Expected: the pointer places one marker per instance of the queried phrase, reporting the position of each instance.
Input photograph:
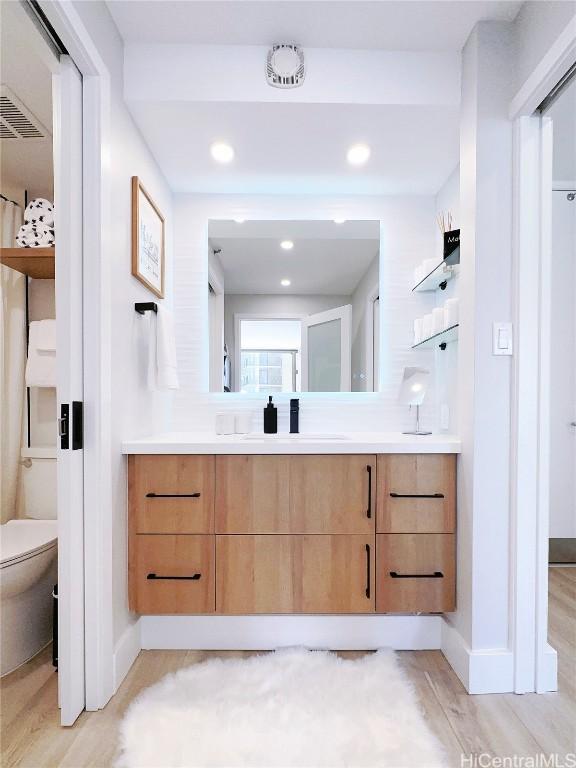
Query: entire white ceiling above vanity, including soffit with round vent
(295, 142)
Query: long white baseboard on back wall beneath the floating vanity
(268, 632)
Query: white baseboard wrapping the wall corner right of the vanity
(484, 671)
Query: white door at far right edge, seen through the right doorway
(563, 368)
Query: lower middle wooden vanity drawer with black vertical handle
(295, 574)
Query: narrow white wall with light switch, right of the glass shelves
(481, 618)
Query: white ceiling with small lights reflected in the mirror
(327, 258)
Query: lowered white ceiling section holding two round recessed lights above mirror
(299, 148)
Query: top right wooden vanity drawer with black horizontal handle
(416, 493)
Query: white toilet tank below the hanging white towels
(38, 484)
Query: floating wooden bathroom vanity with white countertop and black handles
(240, 526)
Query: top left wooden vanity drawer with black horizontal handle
(171, 494)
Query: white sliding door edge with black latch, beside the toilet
(68, 215)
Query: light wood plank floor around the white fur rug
(500, 725)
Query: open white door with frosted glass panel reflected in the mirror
(326, 351)
